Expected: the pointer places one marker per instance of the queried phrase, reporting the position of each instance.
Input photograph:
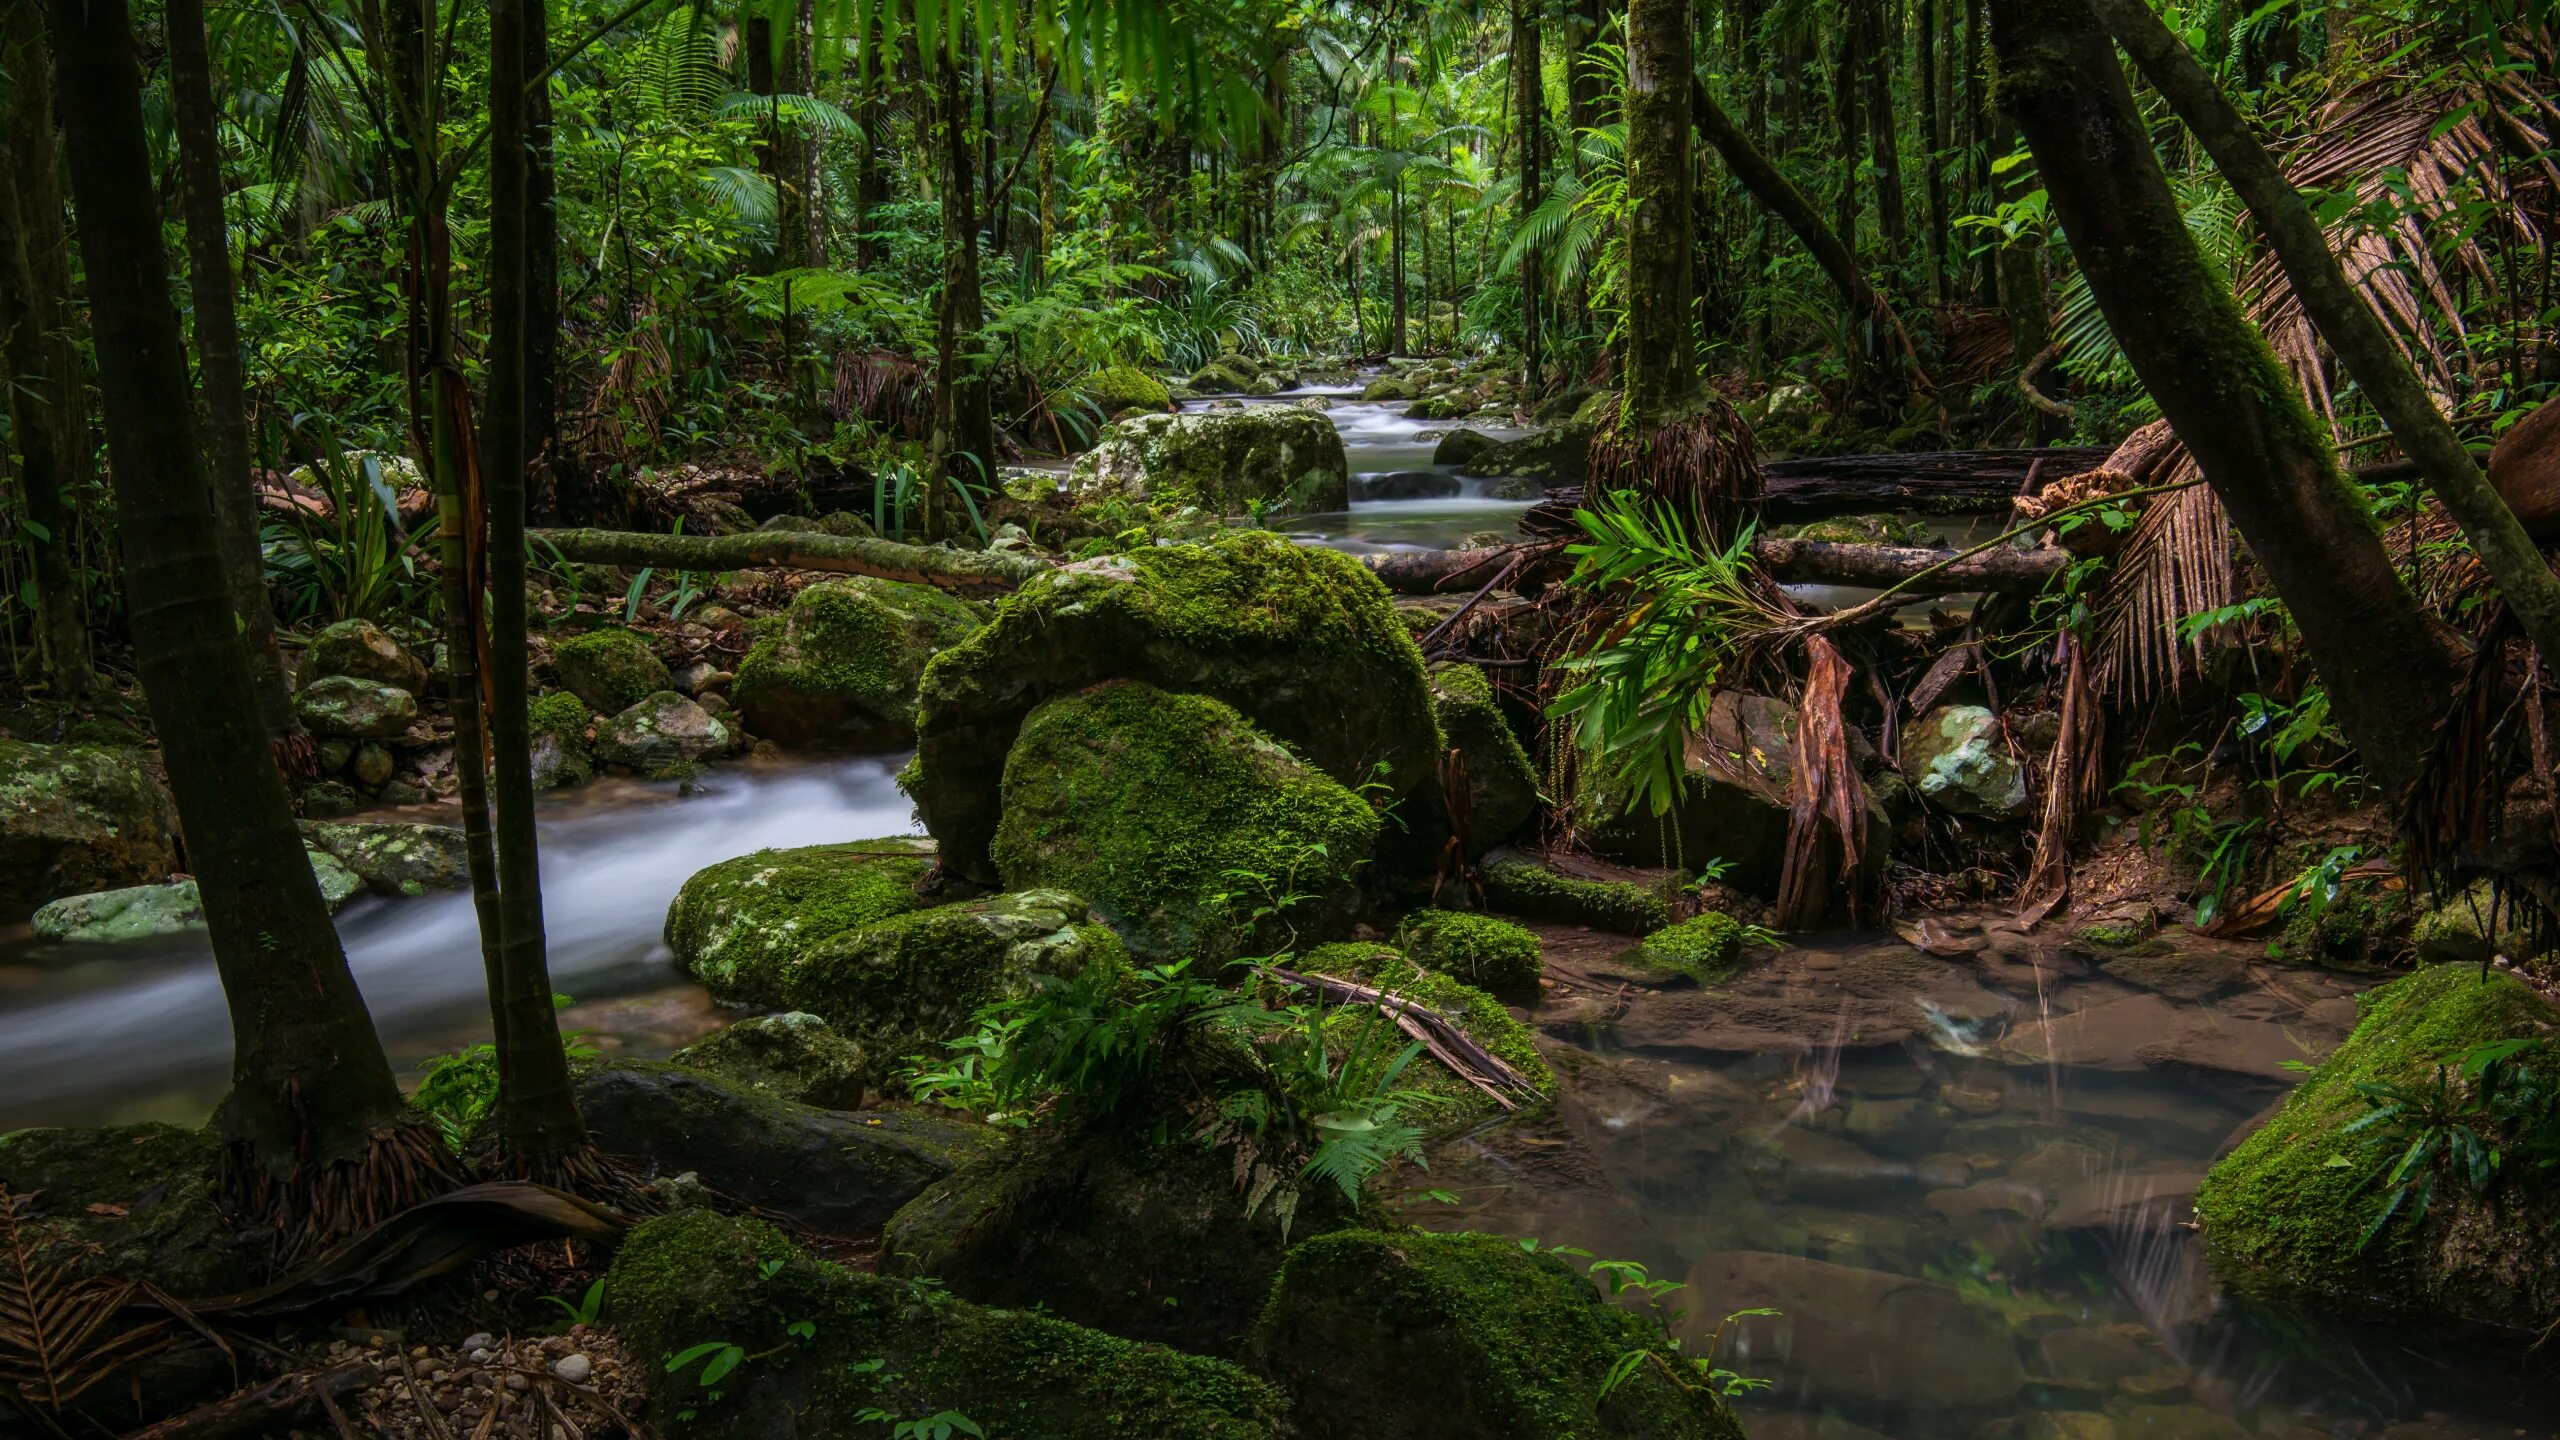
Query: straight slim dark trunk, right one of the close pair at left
(536, 1111)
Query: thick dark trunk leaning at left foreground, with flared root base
(316, 1121)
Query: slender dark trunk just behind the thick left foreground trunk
(219, 368)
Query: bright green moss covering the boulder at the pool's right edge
(2282, 1216)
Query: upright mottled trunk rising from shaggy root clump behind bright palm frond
(1660, 360)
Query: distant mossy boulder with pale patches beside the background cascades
(1228, 462)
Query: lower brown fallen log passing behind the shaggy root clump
(1791, 562)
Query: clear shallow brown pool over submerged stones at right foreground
(1965, 1188)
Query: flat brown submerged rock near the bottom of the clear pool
(1855, 1336)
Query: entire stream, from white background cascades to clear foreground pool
(1957, 1175)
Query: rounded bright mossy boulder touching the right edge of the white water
(744, 924)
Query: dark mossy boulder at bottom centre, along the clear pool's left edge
(1468, 1339)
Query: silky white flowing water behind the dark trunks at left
(99, 1034)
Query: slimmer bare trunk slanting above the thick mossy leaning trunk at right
(2346, 322)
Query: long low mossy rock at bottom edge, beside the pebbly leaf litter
(897, 1346)
